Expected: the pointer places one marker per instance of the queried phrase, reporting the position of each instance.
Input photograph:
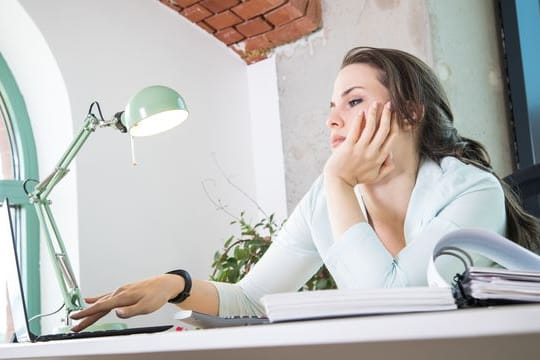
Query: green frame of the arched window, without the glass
(24, 146)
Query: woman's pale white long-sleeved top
(446, 197)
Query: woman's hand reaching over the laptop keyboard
(138, 298)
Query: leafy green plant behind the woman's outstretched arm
(241, 252)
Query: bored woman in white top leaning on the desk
(399, 178)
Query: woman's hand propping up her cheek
(365, 157)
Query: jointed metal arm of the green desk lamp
(39, 198)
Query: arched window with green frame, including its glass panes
(18, 162)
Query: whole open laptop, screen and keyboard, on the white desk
(16, 295)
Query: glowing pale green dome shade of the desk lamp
(153, 110)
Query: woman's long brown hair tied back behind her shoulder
(415, 90)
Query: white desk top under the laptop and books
(509, 332)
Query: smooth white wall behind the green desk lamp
(139, 221)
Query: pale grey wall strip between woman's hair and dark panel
(467, 59)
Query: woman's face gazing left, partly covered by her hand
(355, 88)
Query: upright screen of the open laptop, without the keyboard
(13, 278)
